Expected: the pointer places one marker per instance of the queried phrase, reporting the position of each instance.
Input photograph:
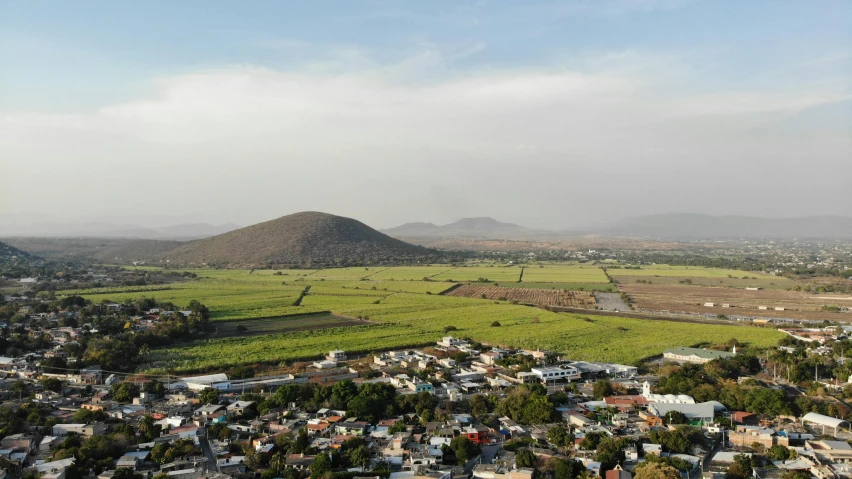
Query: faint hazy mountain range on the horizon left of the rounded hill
(108, 230)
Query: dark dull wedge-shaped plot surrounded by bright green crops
(259, 327)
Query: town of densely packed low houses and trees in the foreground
(454, 409)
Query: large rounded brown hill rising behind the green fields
(301, 238)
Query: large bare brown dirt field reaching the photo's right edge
(682, 298)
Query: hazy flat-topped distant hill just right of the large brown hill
(482, 227)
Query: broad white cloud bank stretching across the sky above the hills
(377, 142)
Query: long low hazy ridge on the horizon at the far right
(688, 225)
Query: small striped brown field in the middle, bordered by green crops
(545, 297)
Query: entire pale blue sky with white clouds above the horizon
(549, 114)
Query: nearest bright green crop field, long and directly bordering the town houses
(403, 322)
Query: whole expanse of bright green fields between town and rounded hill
(404, 315)
